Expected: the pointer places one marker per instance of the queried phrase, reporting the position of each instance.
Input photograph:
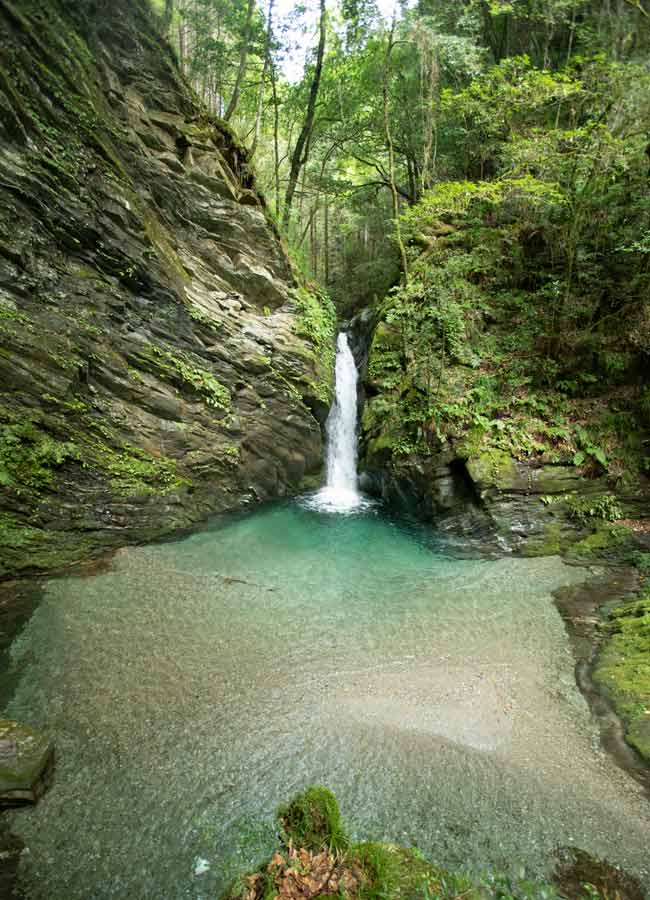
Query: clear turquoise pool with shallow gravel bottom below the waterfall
(199, 683)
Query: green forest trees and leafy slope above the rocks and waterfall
(478, 171)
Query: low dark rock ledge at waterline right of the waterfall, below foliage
(508, 505)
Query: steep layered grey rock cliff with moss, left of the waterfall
(158, 359)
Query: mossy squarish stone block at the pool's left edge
(26, 760)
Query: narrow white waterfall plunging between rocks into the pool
(341, 492)
